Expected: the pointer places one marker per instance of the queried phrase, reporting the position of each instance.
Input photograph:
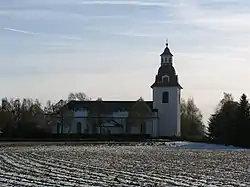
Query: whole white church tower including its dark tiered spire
(166, 96)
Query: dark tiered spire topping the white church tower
(166, 76)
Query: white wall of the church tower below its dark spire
(169, 113)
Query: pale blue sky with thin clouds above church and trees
(111, 49)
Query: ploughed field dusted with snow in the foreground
(172, 164)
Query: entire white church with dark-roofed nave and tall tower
(157, 118)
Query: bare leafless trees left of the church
(25, 116)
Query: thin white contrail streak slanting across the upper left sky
(37, 34)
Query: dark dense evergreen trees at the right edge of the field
(230, 124)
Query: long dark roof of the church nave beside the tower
(106, 106)
